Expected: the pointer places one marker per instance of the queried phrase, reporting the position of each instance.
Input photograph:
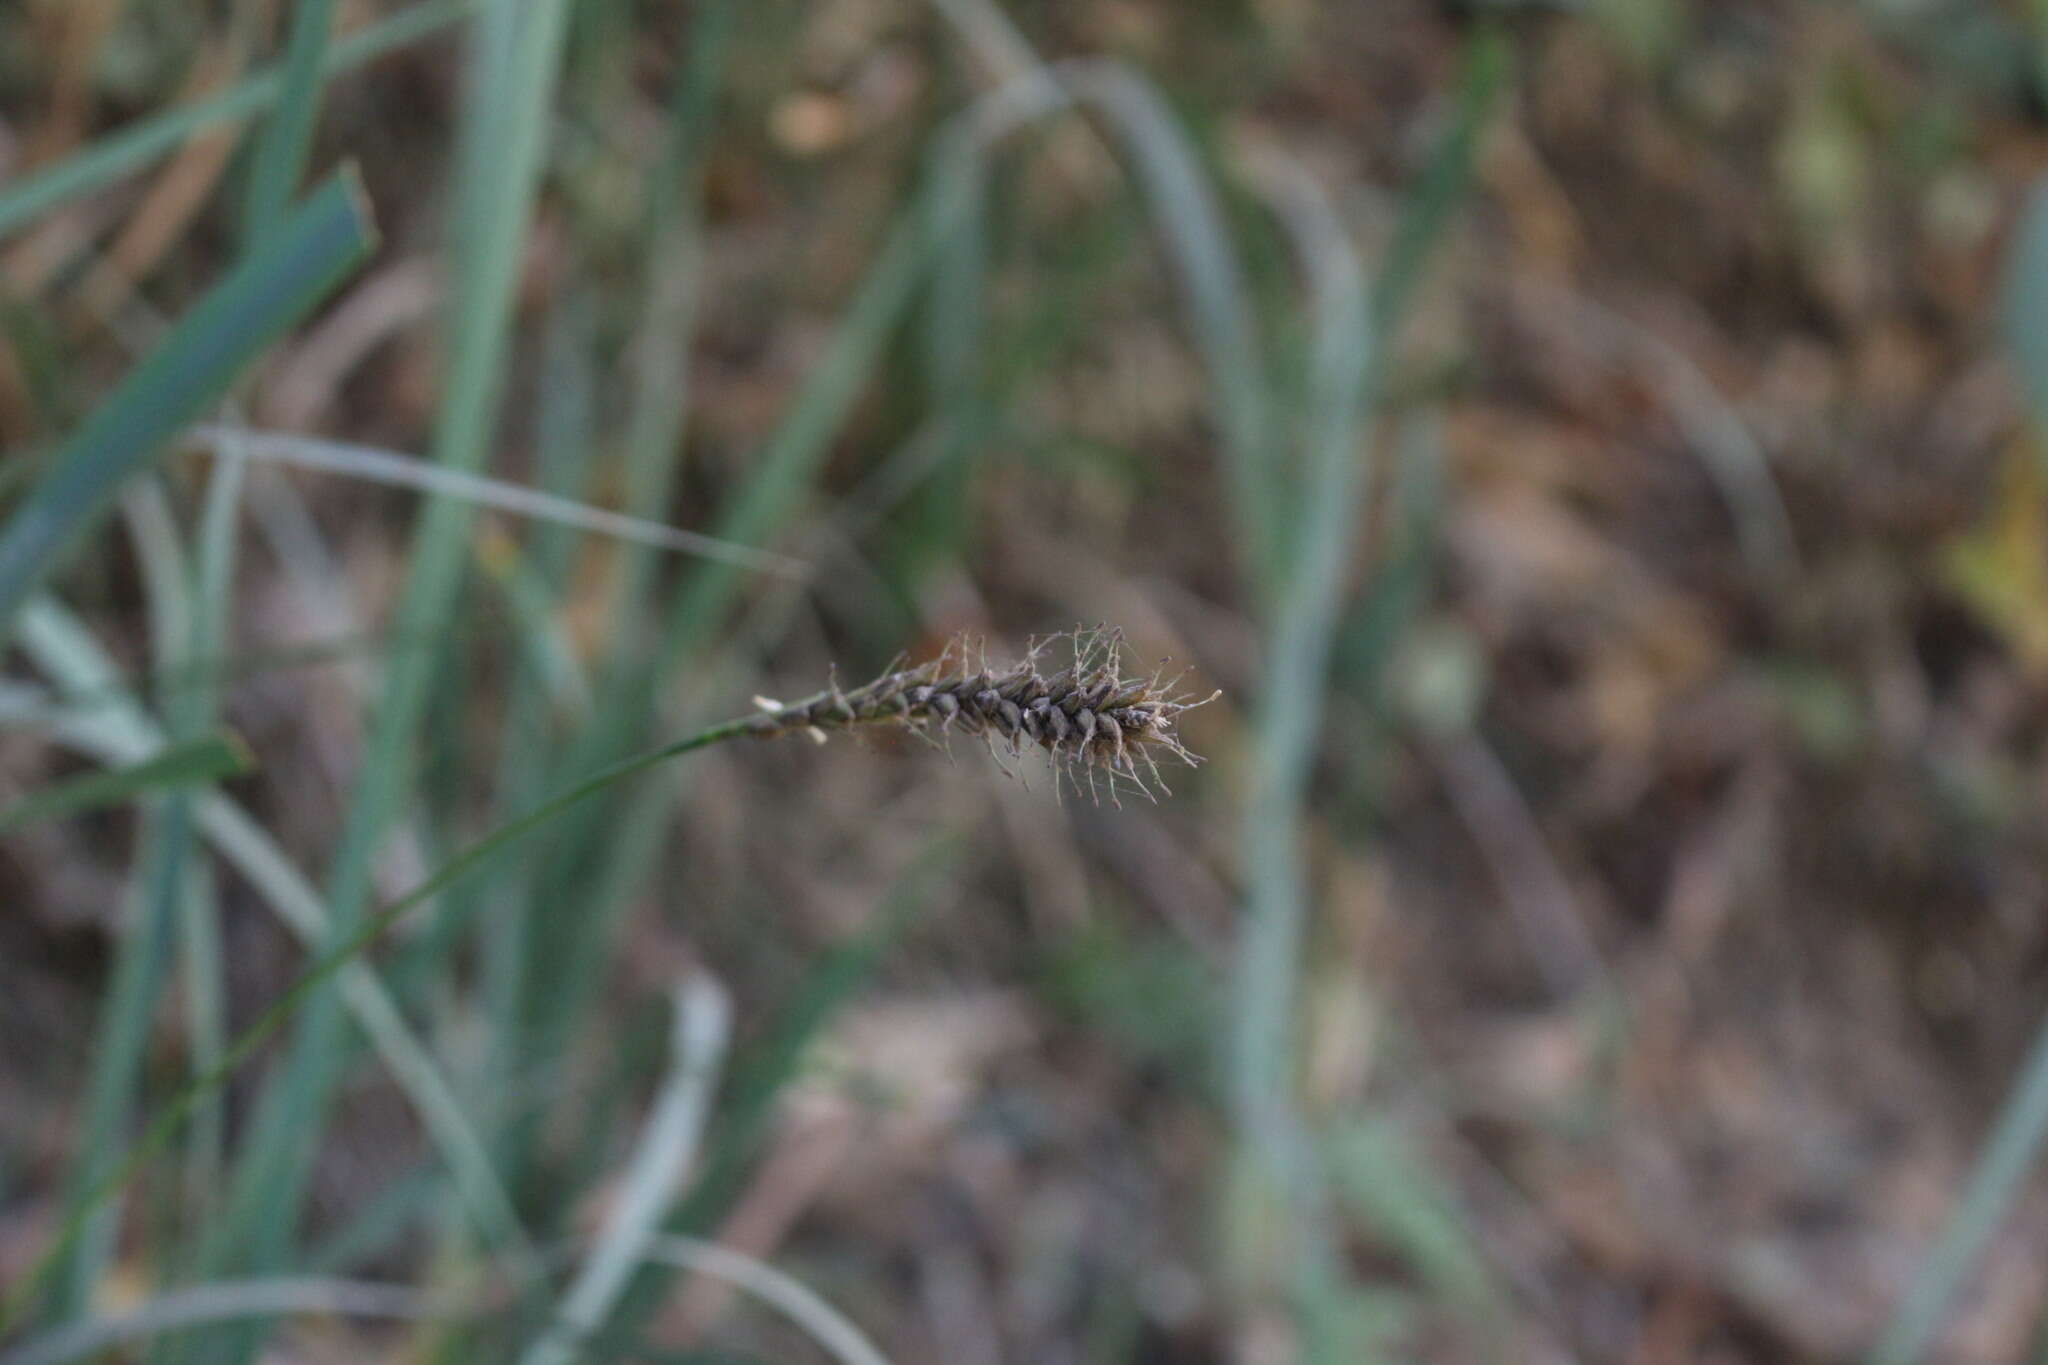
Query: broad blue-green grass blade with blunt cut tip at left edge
(257, 304)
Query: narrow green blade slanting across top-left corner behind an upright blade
(132, 148)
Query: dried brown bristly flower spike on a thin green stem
(1086, 717)
